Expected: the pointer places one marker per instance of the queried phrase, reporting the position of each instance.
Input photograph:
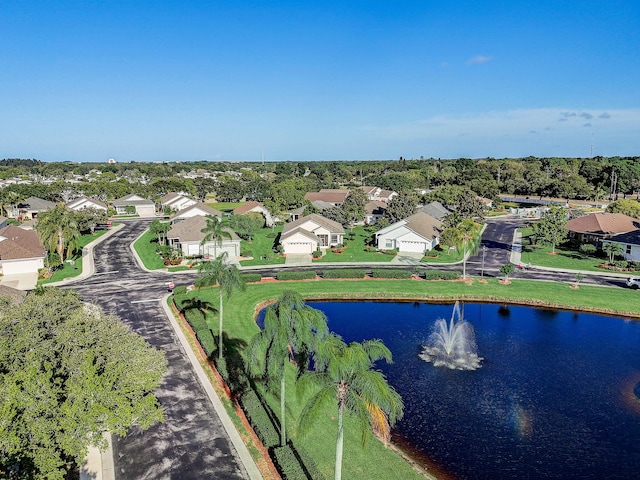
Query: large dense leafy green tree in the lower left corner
(68, 373)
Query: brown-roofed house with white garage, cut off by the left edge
(21, 255)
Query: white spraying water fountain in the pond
(452, 345)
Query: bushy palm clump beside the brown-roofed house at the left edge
(59, 231)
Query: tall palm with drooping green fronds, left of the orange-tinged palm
(291, 331)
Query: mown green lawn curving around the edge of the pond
(375, 461)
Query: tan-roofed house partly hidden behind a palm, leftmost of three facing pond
(187, 236)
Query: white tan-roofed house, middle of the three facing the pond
(309, 233)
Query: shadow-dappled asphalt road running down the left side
(192, 443)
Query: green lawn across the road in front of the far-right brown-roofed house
(563, 258)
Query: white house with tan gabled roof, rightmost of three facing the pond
(418, 233)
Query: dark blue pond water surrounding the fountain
(553, 399)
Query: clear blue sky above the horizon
(321, 80)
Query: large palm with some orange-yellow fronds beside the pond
(345, 372)
